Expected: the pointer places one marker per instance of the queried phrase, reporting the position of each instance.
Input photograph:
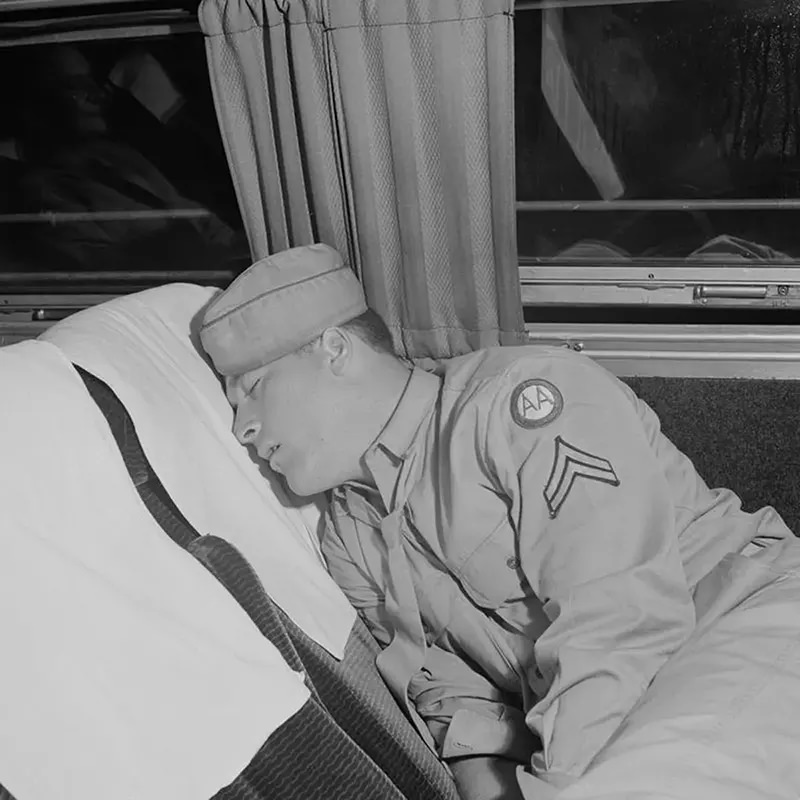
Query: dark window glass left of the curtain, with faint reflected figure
(111, 160)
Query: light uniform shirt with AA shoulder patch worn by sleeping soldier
(529, 553)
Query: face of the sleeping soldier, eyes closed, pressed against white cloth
(288, 412)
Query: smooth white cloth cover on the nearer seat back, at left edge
(128, 670)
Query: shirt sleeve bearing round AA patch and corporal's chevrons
(596, 540)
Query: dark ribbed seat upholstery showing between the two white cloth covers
(356, 731)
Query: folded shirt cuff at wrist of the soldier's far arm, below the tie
(471, 733)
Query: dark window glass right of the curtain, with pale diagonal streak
(658, 131)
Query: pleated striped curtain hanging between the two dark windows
(385, 129)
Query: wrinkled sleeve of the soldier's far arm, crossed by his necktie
(466, 714)
